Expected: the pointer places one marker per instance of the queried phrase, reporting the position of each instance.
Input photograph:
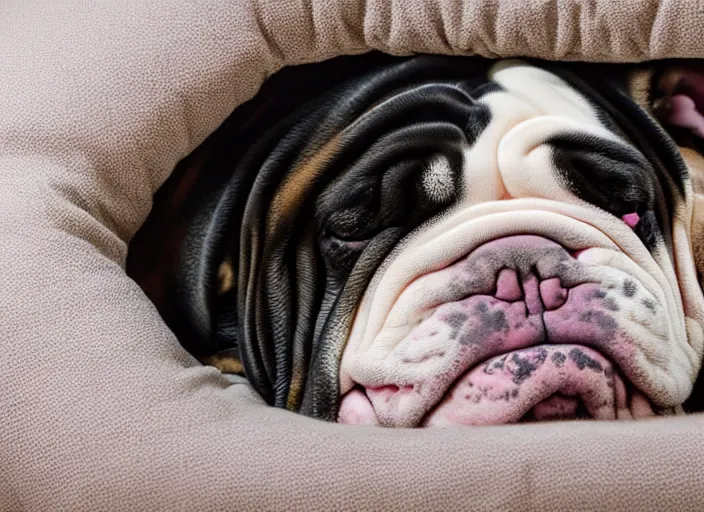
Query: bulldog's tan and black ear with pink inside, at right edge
(673, 93)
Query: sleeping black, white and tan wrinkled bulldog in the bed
(434, 241)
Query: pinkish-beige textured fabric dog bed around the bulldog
(101, 408)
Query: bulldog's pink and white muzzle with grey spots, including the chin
(539, 342)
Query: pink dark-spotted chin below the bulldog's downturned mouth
(548, 381)
